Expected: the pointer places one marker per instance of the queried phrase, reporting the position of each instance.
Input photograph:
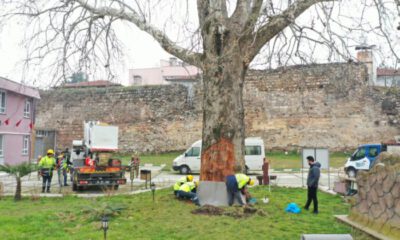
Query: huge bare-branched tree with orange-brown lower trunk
(227, 37)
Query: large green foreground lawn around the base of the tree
(167, 218)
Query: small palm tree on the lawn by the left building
(18, 171)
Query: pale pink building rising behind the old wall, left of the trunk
(171, 71)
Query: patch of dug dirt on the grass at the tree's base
(236, 212)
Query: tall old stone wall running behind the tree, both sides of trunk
(327, 105)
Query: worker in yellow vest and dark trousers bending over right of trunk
(235, 185)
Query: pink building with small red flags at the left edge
(17, 118)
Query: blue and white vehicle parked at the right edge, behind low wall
(365, 155)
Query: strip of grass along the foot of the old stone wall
(279, 160)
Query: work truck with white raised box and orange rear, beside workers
(92, 160)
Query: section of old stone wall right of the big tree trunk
(327, 105)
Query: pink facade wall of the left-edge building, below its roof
(12, 134)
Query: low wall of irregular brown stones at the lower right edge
(377, 204)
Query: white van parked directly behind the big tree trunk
(189, 161)
